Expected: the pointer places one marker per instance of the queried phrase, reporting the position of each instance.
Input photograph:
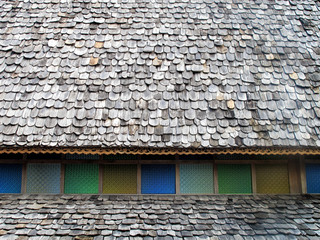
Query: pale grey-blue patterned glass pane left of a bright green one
(43, 178)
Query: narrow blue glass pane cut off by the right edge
(313, 178)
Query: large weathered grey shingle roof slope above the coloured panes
(178, 73)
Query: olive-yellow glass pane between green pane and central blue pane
(120, 179)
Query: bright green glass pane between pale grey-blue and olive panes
(81, 178)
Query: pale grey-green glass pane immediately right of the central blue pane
(196, 178)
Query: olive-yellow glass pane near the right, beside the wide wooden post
(272, 178)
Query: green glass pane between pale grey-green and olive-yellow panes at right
(234, 178)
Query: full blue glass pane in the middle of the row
(158, 178)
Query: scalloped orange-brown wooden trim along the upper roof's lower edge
(162, 151)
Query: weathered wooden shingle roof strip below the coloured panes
(159, 217)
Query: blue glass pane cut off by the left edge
(10, 178)
